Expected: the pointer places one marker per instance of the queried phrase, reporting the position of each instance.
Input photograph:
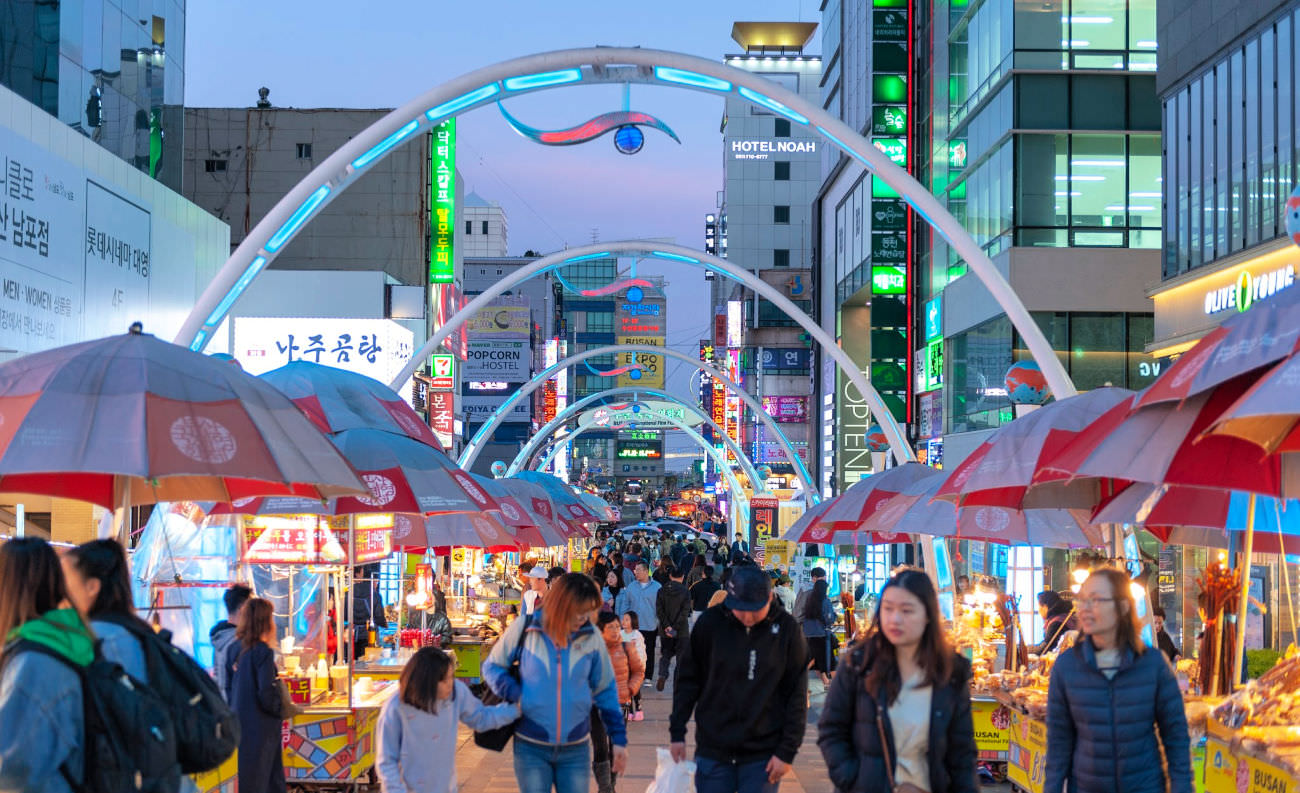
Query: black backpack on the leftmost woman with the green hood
(129, 742)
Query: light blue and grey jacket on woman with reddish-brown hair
(558, 686)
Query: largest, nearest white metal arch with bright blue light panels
(597, 66)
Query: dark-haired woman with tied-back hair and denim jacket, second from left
(99, 587)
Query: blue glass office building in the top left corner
(112, 70)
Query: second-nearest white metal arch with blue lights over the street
(673, 253)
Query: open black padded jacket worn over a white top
(850, 735)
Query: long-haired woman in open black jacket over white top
(899, 712)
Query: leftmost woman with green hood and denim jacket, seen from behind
(41, 697)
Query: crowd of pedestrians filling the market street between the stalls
(736, 644)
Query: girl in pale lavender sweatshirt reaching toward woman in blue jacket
(418, 727)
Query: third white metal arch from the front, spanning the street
(476, 444)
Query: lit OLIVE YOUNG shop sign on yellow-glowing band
(1195, 304)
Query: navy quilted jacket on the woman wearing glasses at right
(1102, 734)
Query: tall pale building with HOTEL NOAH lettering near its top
(772, 172)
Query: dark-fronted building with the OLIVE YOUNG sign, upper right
(1228, 85)
